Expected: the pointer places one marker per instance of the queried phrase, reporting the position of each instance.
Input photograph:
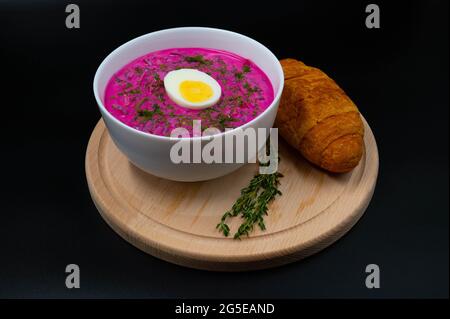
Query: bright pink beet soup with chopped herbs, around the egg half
(135, 95)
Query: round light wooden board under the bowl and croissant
(176, 221)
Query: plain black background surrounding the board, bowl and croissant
(397, 75)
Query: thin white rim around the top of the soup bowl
(130, 129)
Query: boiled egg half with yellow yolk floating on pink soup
(192, 88)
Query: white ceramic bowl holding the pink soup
(151, 152)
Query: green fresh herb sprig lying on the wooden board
(252, 204)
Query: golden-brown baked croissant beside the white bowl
(317, 118)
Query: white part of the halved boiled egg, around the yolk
(173, 80)
